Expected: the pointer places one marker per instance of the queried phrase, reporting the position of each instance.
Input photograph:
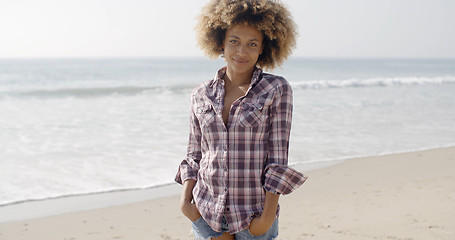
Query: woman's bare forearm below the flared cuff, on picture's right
(260, 225)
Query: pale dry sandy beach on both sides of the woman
(397, 196)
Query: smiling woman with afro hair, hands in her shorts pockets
(236, 166)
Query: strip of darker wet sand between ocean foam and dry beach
(96, 200)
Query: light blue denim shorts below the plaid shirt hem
(201, 230)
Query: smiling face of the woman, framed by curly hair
(242, 47)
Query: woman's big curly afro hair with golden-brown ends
(268, 16)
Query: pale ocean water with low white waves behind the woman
(80, 126)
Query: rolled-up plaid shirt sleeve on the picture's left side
(189, 167)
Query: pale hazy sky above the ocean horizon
(328, 28)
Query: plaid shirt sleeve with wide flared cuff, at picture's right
(279, 178)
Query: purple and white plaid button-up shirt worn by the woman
(235, 165)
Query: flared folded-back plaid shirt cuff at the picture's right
(282, 179)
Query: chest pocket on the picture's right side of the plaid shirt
(253, 113)
